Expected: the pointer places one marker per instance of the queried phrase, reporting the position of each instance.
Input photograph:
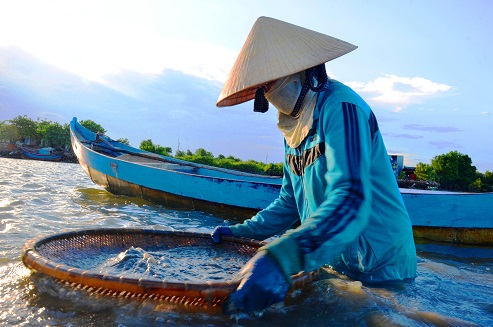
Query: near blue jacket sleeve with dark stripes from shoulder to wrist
(345, 210)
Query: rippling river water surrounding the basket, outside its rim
(454, 286)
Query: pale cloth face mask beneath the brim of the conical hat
(285, 91)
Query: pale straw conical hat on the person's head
(275, 49)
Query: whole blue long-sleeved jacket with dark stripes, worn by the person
(339, 183)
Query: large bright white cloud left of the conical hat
(93, 39)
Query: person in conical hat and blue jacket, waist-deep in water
(338, 181)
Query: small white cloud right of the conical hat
(398, 90)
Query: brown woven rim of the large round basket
(208, 295)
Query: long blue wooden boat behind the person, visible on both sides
(124, 170)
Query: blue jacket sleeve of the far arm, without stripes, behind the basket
(275, 219)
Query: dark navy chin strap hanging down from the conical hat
(317, 73)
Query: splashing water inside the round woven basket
(195, 264)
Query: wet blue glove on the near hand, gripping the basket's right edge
(262, 284)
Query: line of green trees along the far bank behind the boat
(452, 171)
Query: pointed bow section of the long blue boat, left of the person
(174, 183)
